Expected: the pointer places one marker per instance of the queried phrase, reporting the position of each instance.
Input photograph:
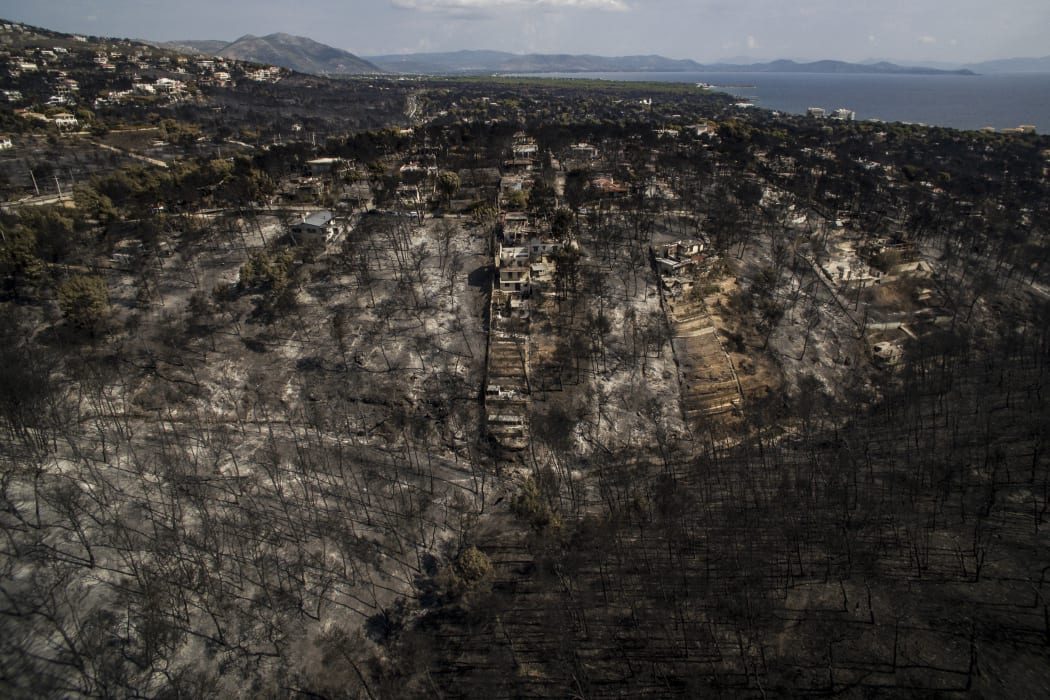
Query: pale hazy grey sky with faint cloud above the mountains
(952, 31)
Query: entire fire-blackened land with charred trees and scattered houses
(517, 388)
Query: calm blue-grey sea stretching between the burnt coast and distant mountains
(961, 102)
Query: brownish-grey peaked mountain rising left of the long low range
(283, 50)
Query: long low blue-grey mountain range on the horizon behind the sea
(487, 62)
